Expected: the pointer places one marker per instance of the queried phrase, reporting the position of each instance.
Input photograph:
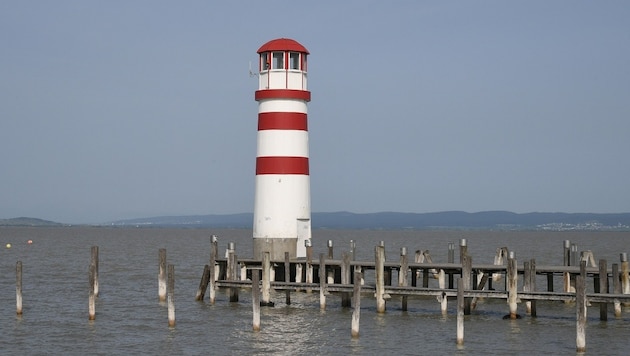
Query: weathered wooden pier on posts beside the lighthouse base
(463, 281)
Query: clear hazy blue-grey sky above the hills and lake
(126, 109)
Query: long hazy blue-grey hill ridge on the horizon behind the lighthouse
(500, 220)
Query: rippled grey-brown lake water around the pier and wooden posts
(130, 320)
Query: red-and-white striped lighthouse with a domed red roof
(282, 202)
